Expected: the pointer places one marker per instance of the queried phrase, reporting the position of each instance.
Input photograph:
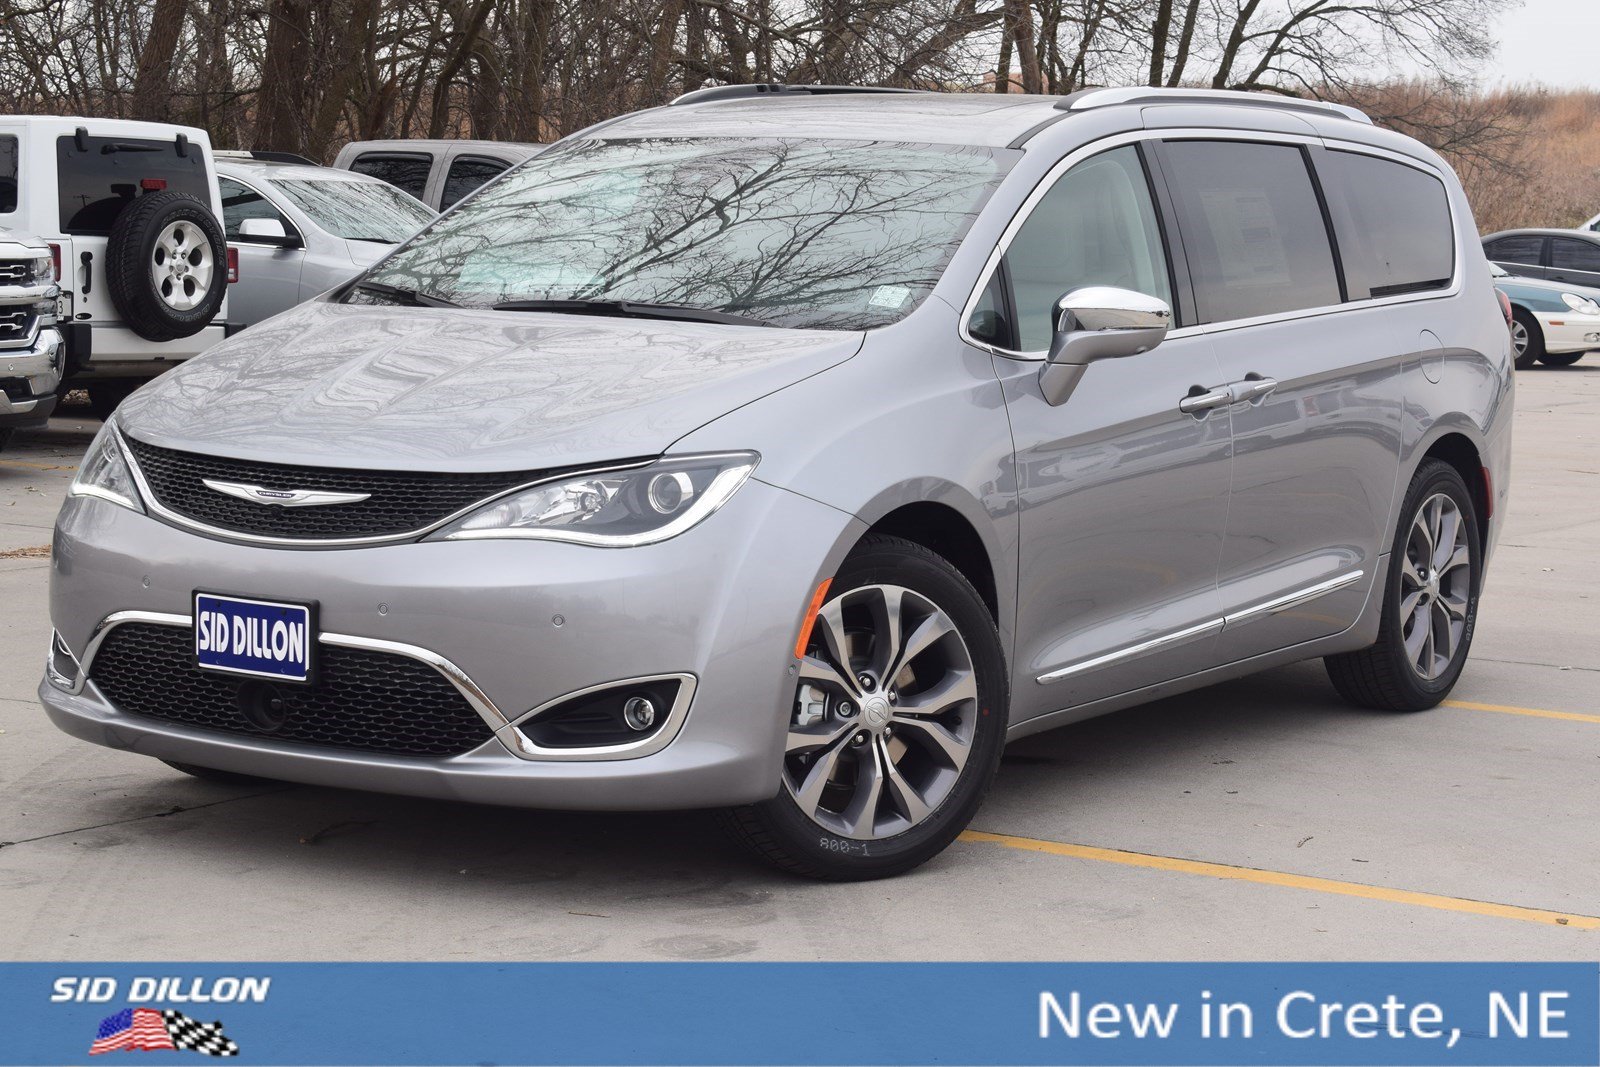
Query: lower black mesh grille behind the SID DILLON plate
(361, 700)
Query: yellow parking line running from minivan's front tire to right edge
(1286, 881)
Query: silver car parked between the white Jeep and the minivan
(303, 230)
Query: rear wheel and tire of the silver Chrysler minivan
(1431, 602)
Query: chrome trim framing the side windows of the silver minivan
(1204, 134)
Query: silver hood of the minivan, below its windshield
(444, 390)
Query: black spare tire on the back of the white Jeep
(132, 257)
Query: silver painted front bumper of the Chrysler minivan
(721, 602)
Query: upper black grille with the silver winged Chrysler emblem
(401, 502)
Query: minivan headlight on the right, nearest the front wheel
(614, 510)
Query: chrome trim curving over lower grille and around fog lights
(505, 727)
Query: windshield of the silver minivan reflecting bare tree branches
(810, 234)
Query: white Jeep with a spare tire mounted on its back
(129, 212)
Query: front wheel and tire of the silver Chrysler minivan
(897, 725)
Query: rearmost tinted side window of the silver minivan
(1394, 226)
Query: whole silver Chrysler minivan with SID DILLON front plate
(791, 452)
